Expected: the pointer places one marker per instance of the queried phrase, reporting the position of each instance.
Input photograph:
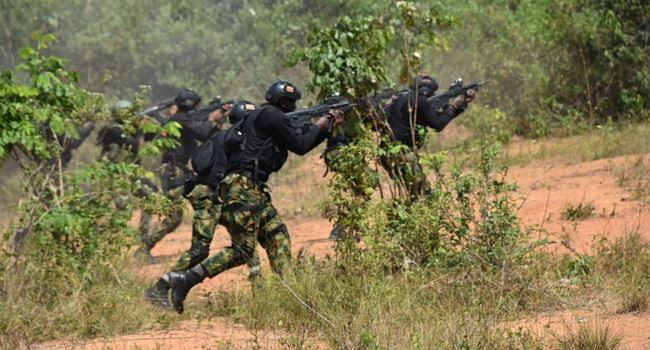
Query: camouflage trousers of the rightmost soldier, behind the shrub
(405, 169)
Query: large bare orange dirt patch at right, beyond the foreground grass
(549, 187)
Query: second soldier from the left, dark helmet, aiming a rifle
(175, 169)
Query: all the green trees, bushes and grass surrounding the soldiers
(448, 270)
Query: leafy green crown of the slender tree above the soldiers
(350, 56)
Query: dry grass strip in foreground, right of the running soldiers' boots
(467, 308)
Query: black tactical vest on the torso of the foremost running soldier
(257, 156)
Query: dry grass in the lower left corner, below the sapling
(35, 310)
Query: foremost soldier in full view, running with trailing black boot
(247, 210)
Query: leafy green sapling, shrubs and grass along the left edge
(67, 238)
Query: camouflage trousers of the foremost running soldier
(249, 216)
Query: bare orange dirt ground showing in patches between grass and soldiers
(546, 189)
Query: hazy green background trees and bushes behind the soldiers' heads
(549, 69)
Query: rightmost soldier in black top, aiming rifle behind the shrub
(408, 117)
